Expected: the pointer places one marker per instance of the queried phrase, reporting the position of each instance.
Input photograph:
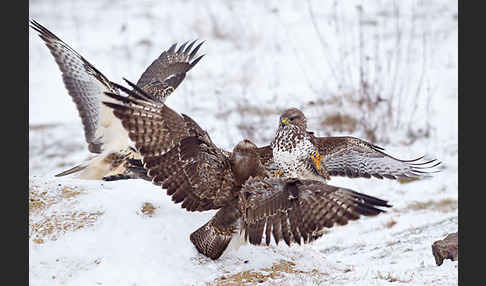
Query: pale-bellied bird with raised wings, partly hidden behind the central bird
(106, 138)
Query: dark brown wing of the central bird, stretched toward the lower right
(298, 210)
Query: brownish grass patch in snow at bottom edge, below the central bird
(278, 270)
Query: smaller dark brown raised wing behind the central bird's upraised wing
(166, 72)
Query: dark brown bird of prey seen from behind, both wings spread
(252, 203)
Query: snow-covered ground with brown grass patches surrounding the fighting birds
(261, 57)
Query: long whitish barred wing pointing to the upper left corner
(85, 84)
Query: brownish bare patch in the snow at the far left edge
(50, 225)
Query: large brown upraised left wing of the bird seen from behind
(177, 153)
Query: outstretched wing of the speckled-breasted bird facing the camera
(353, 157)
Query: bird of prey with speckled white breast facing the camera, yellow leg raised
(297, 152)
